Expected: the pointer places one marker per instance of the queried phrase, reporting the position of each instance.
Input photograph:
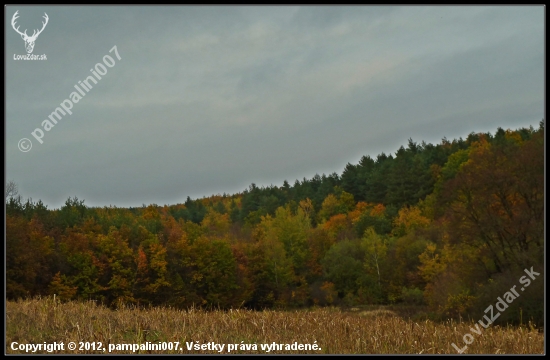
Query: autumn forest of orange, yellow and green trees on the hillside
(450, 227)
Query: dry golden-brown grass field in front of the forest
(334, 331)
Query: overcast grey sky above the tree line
(205, 100)
